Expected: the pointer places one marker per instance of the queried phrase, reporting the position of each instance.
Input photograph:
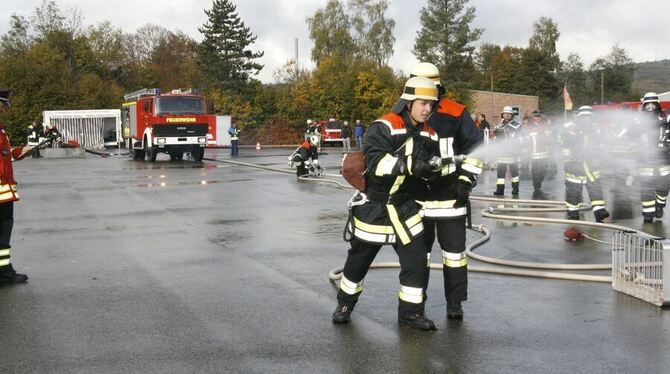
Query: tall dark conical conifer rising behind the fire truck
(224, 57)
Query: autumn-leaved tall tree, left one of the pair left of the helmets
(329, 29)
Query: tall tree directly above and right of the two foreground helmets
(446, 39)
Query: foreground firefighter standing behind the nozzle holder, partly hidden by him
(444, 199)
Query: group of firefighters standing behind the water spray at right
(628, 146)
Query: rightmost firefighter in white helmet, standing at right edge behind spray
(653, 157)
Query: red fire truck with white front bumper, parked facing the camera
(171, 123)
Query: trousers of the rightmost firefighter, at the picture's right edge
(654, 187)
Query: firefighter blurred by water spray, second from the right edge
(579, 139)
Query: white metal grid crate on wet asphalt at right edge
(637, 267)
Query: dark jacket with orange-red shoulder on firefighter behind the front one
(458, 135)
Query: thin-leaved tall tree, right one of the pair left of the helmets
(373, 31)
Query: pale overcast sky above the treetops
(589, 27)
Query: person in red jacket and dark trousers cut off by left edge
(8, 196)
